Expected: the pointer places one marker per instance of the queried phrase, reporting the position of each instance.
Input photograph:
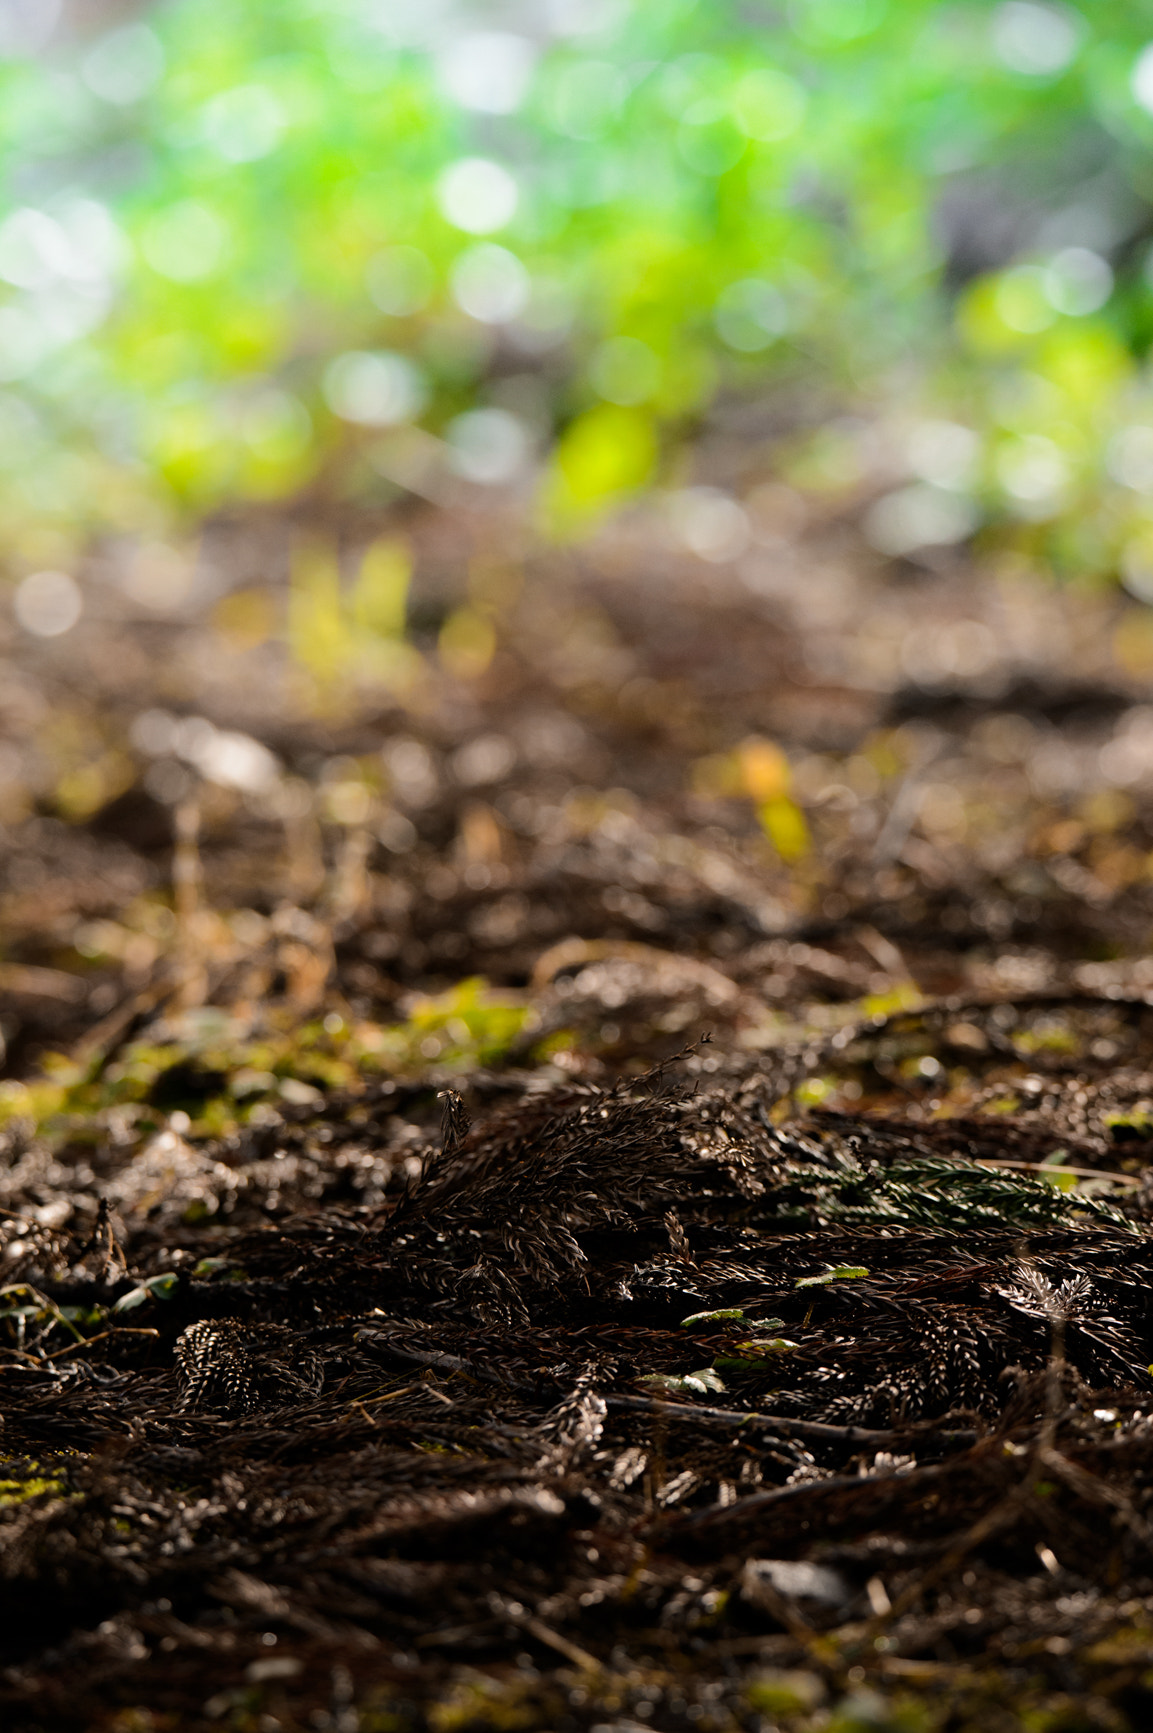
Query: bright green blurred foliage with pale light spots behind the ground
(247, 250)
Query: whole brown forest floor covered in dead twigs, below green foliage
(759, 1332)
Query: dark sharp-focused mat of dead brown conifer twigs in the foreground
(629, 1394)
